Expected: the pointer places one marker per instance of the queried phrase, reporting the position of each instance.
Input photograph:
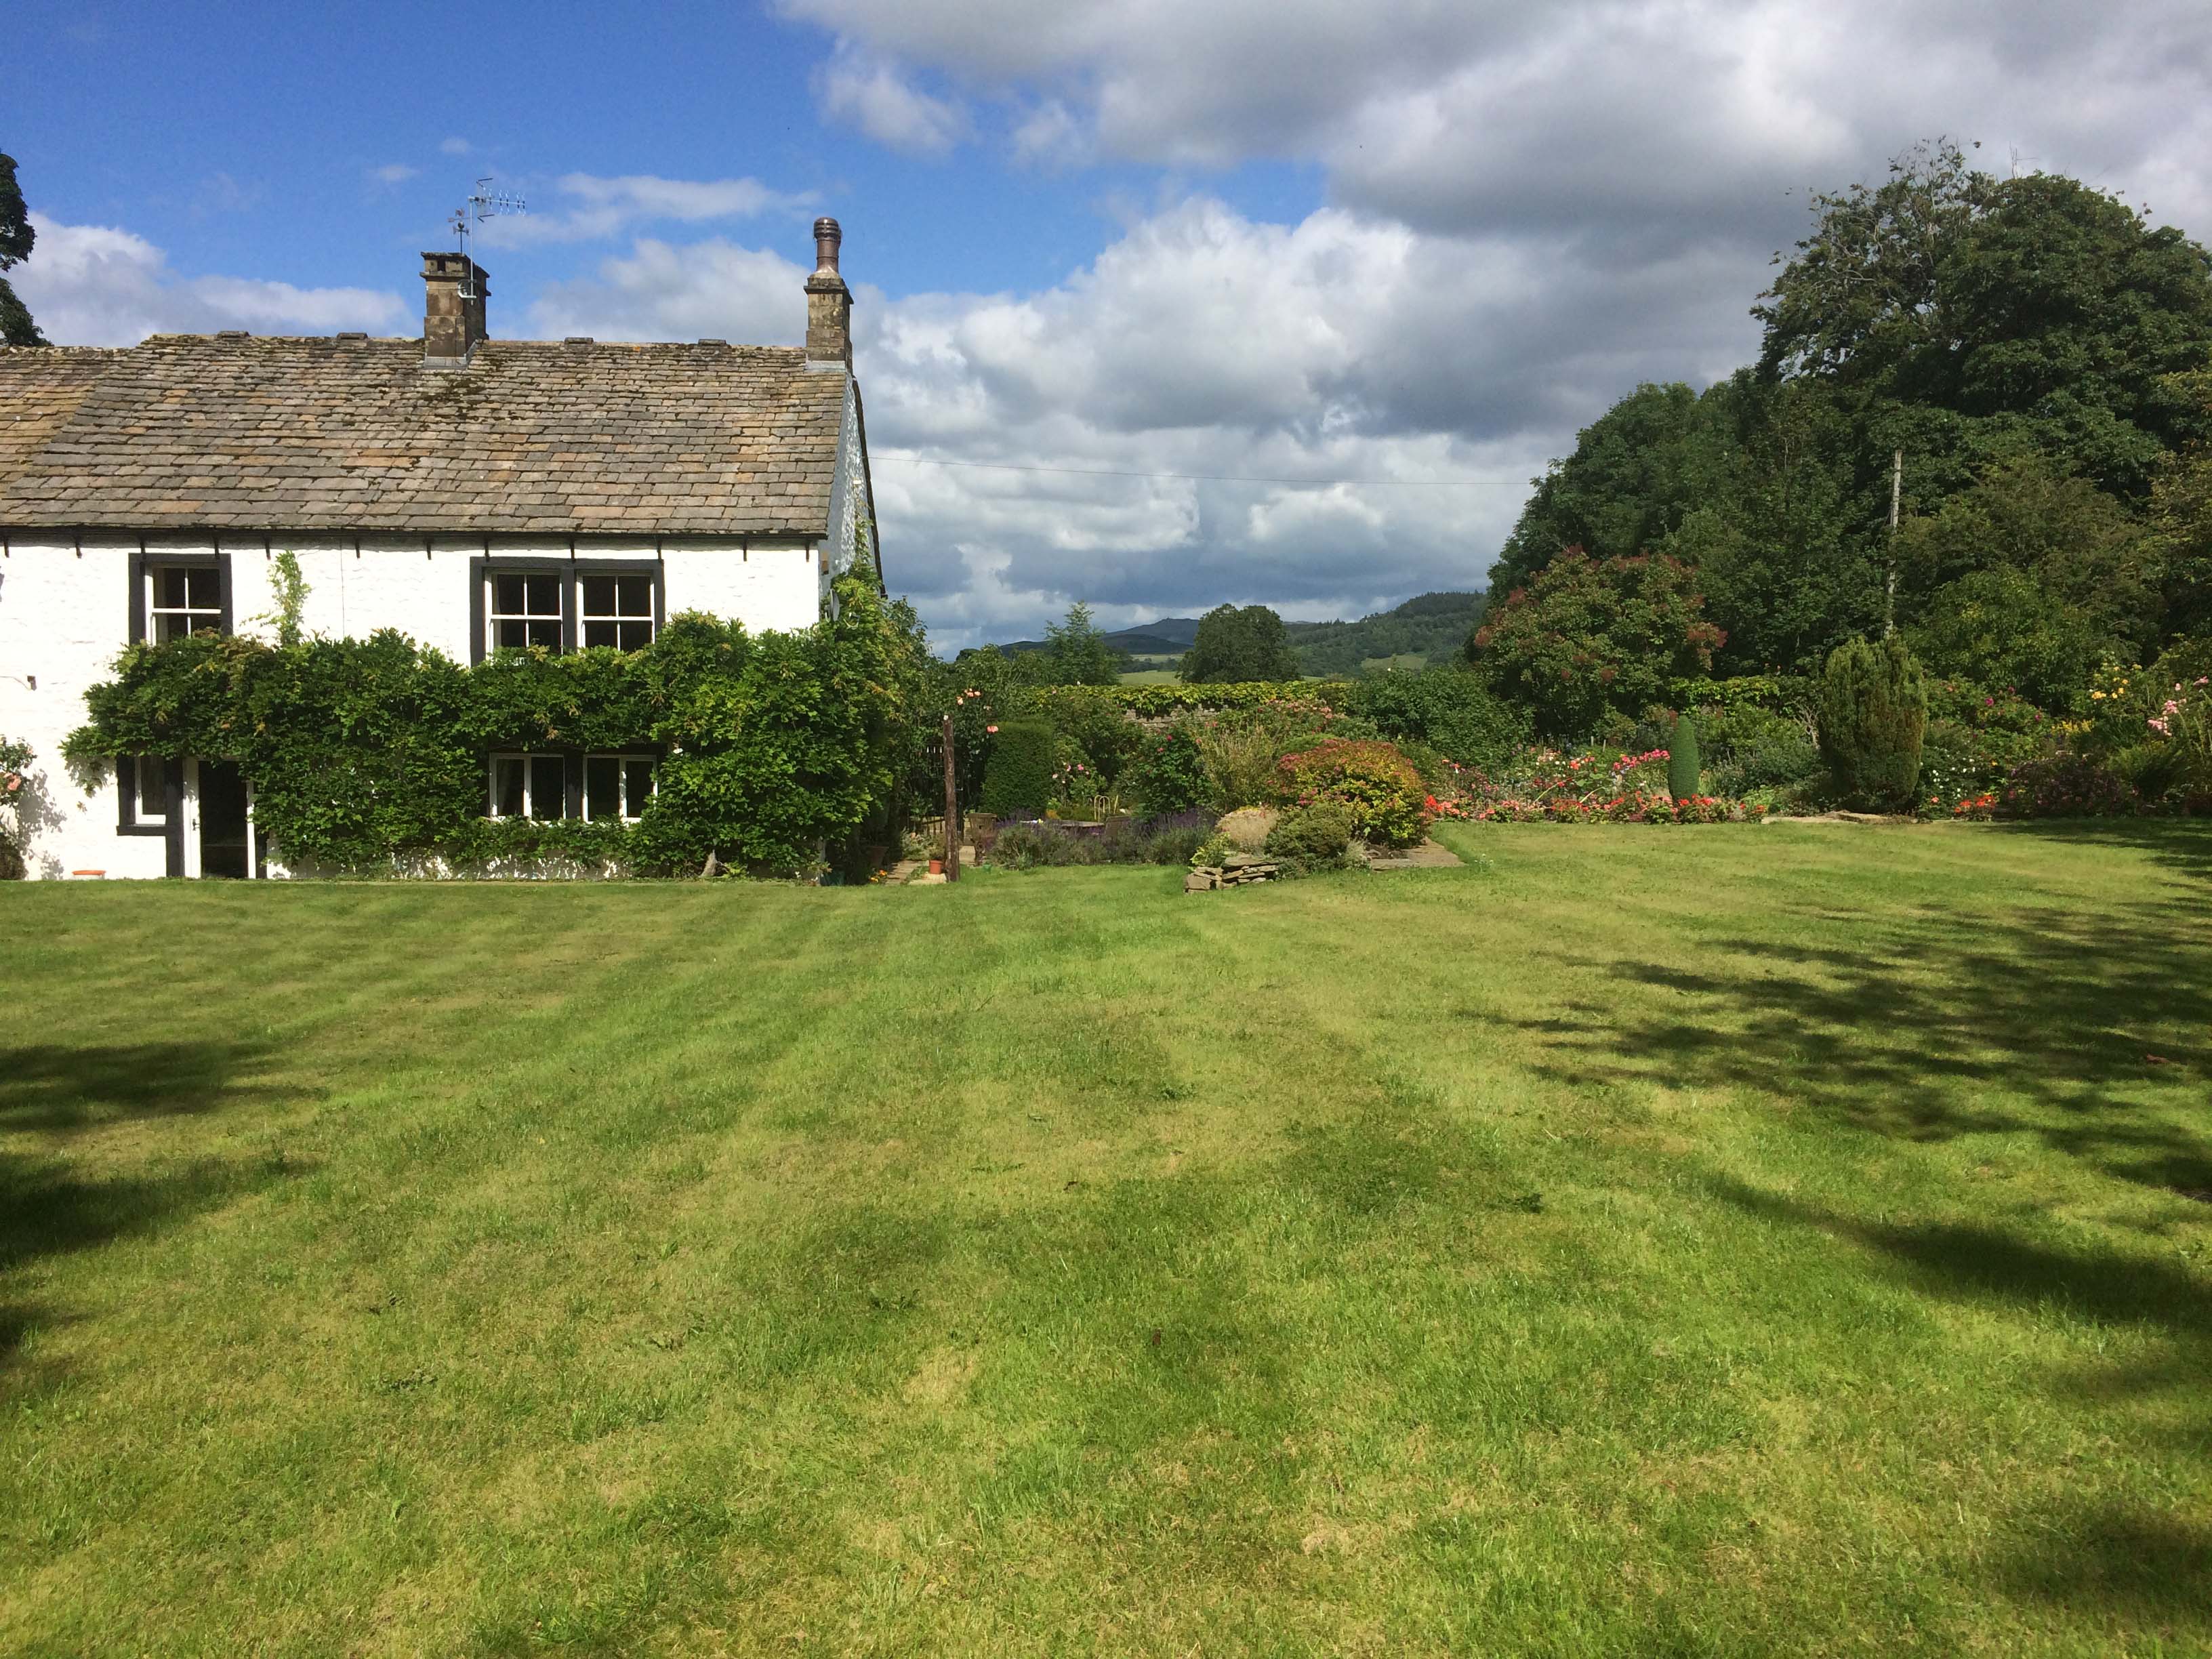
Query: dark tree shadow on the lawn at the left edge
(54, 1098)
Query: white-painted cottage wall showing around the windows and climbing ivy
(65, 614)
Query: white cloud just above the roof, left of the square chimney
(103, 286)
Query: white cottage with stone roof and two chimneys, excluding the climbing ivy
(463, 490)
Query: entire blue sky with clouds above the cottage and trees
(1395, 251)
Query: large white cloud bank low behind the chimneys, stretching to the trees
(1207, 344)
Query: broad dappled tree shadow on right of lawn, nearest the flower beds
(2087, 1030)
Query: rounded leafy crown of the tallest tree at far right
(1970, 317)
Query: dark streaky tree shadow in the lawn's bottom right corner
(2114, 1563)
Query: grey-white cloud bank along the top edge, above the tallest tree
(1631, 116)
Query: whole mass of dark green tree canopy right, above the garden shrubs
(2043, 359)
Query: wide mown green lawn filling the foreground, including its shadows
(1744, 1240)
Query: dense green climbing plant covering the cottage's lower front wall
(373, 753)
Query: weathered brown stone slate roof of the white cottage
(351, 435)
